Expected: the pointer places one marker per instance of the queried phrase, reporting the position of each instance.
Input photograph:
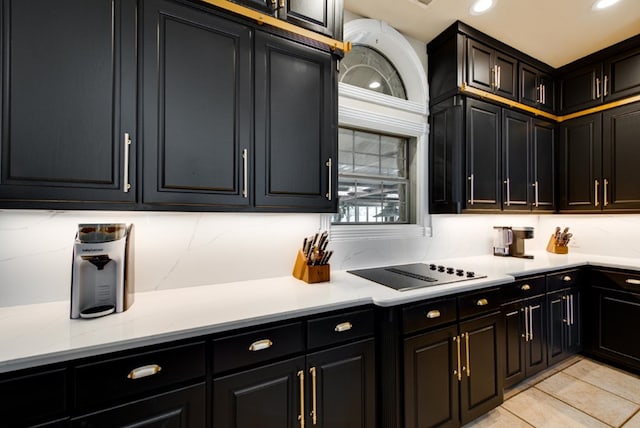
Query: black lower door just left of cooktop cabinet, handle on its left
(341, 387)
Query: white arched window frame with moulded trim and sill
(372, 111)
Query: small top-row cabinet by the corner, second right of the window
(537, 88)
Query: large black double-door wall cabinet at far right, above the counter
(597, 168)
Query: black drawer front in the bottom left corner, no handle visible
(33, 398)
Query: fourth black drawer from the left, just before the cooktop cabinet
(338, 328)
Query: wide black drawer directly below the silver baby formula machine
(110, 380)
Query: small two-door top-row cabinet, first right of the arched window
(491, 70)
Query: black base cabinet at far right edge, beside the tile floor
(615, 302)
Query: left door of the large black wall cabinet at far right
(580, 163)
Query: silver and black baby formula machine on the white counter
(102, 270)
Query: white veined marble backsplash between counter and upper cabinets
(189, 249)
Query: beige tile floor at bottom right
(578, 392)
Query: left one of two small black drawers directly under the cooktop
(428, 314)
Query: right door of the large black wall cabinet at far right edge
(620, 152)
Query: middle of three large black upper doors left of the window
(197, 107)
